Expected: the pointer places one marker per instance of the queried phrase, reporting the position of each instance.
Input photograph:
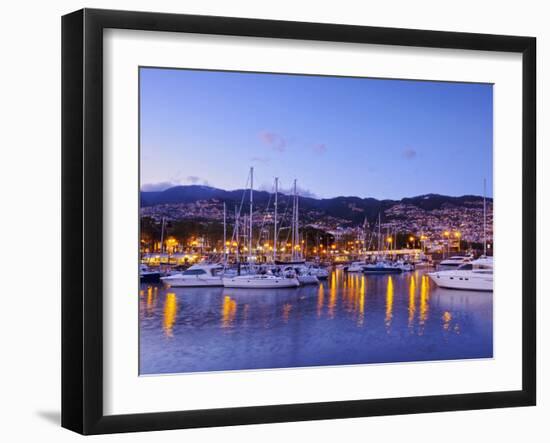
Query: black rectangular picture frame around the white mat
(82, 220)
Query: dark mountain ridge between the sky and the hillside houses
(349, 208)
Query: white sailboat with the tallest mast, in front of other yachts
(266, 279)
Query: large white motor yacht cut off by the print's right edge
(476, 275)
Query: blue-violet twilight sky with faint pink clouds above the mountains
(337, 136)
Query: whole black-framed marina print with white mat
(269, 221)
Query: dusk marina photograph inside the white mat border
(264, 248)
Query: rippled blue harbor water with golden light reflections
(347, 319)
